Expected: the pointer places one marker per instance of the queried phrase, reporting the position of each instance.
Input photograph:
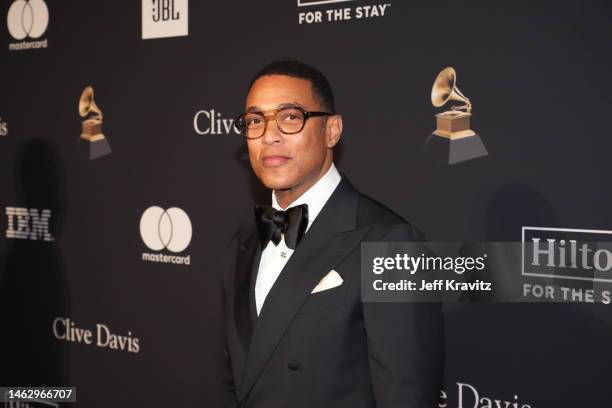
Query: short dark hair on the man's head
(320, 85)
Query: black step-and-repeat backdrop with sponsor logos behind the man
(122, 178)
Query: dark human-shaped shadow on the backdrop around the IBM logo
(33, 287)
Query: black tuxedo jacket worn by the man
(328, 349)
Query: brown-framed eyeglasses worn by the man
(291, 120)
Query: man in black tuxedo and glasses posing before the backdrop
(298, 334)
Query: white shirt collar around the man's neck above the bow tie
(316, 196)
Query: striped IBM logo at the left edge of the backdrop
(24, 223)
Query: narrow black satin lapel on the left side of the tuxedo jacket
(246, 261)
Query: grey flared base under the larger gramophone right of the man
(446, 150)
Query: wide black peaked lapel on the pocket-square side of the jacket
(330, 238)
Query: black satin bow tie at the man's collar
(272, 223)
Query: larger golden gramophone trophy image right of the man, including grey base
(453, 141)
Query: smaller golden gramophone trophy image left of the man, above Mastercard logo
(92, 125)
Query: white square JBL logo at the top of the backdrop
(164, 18)
